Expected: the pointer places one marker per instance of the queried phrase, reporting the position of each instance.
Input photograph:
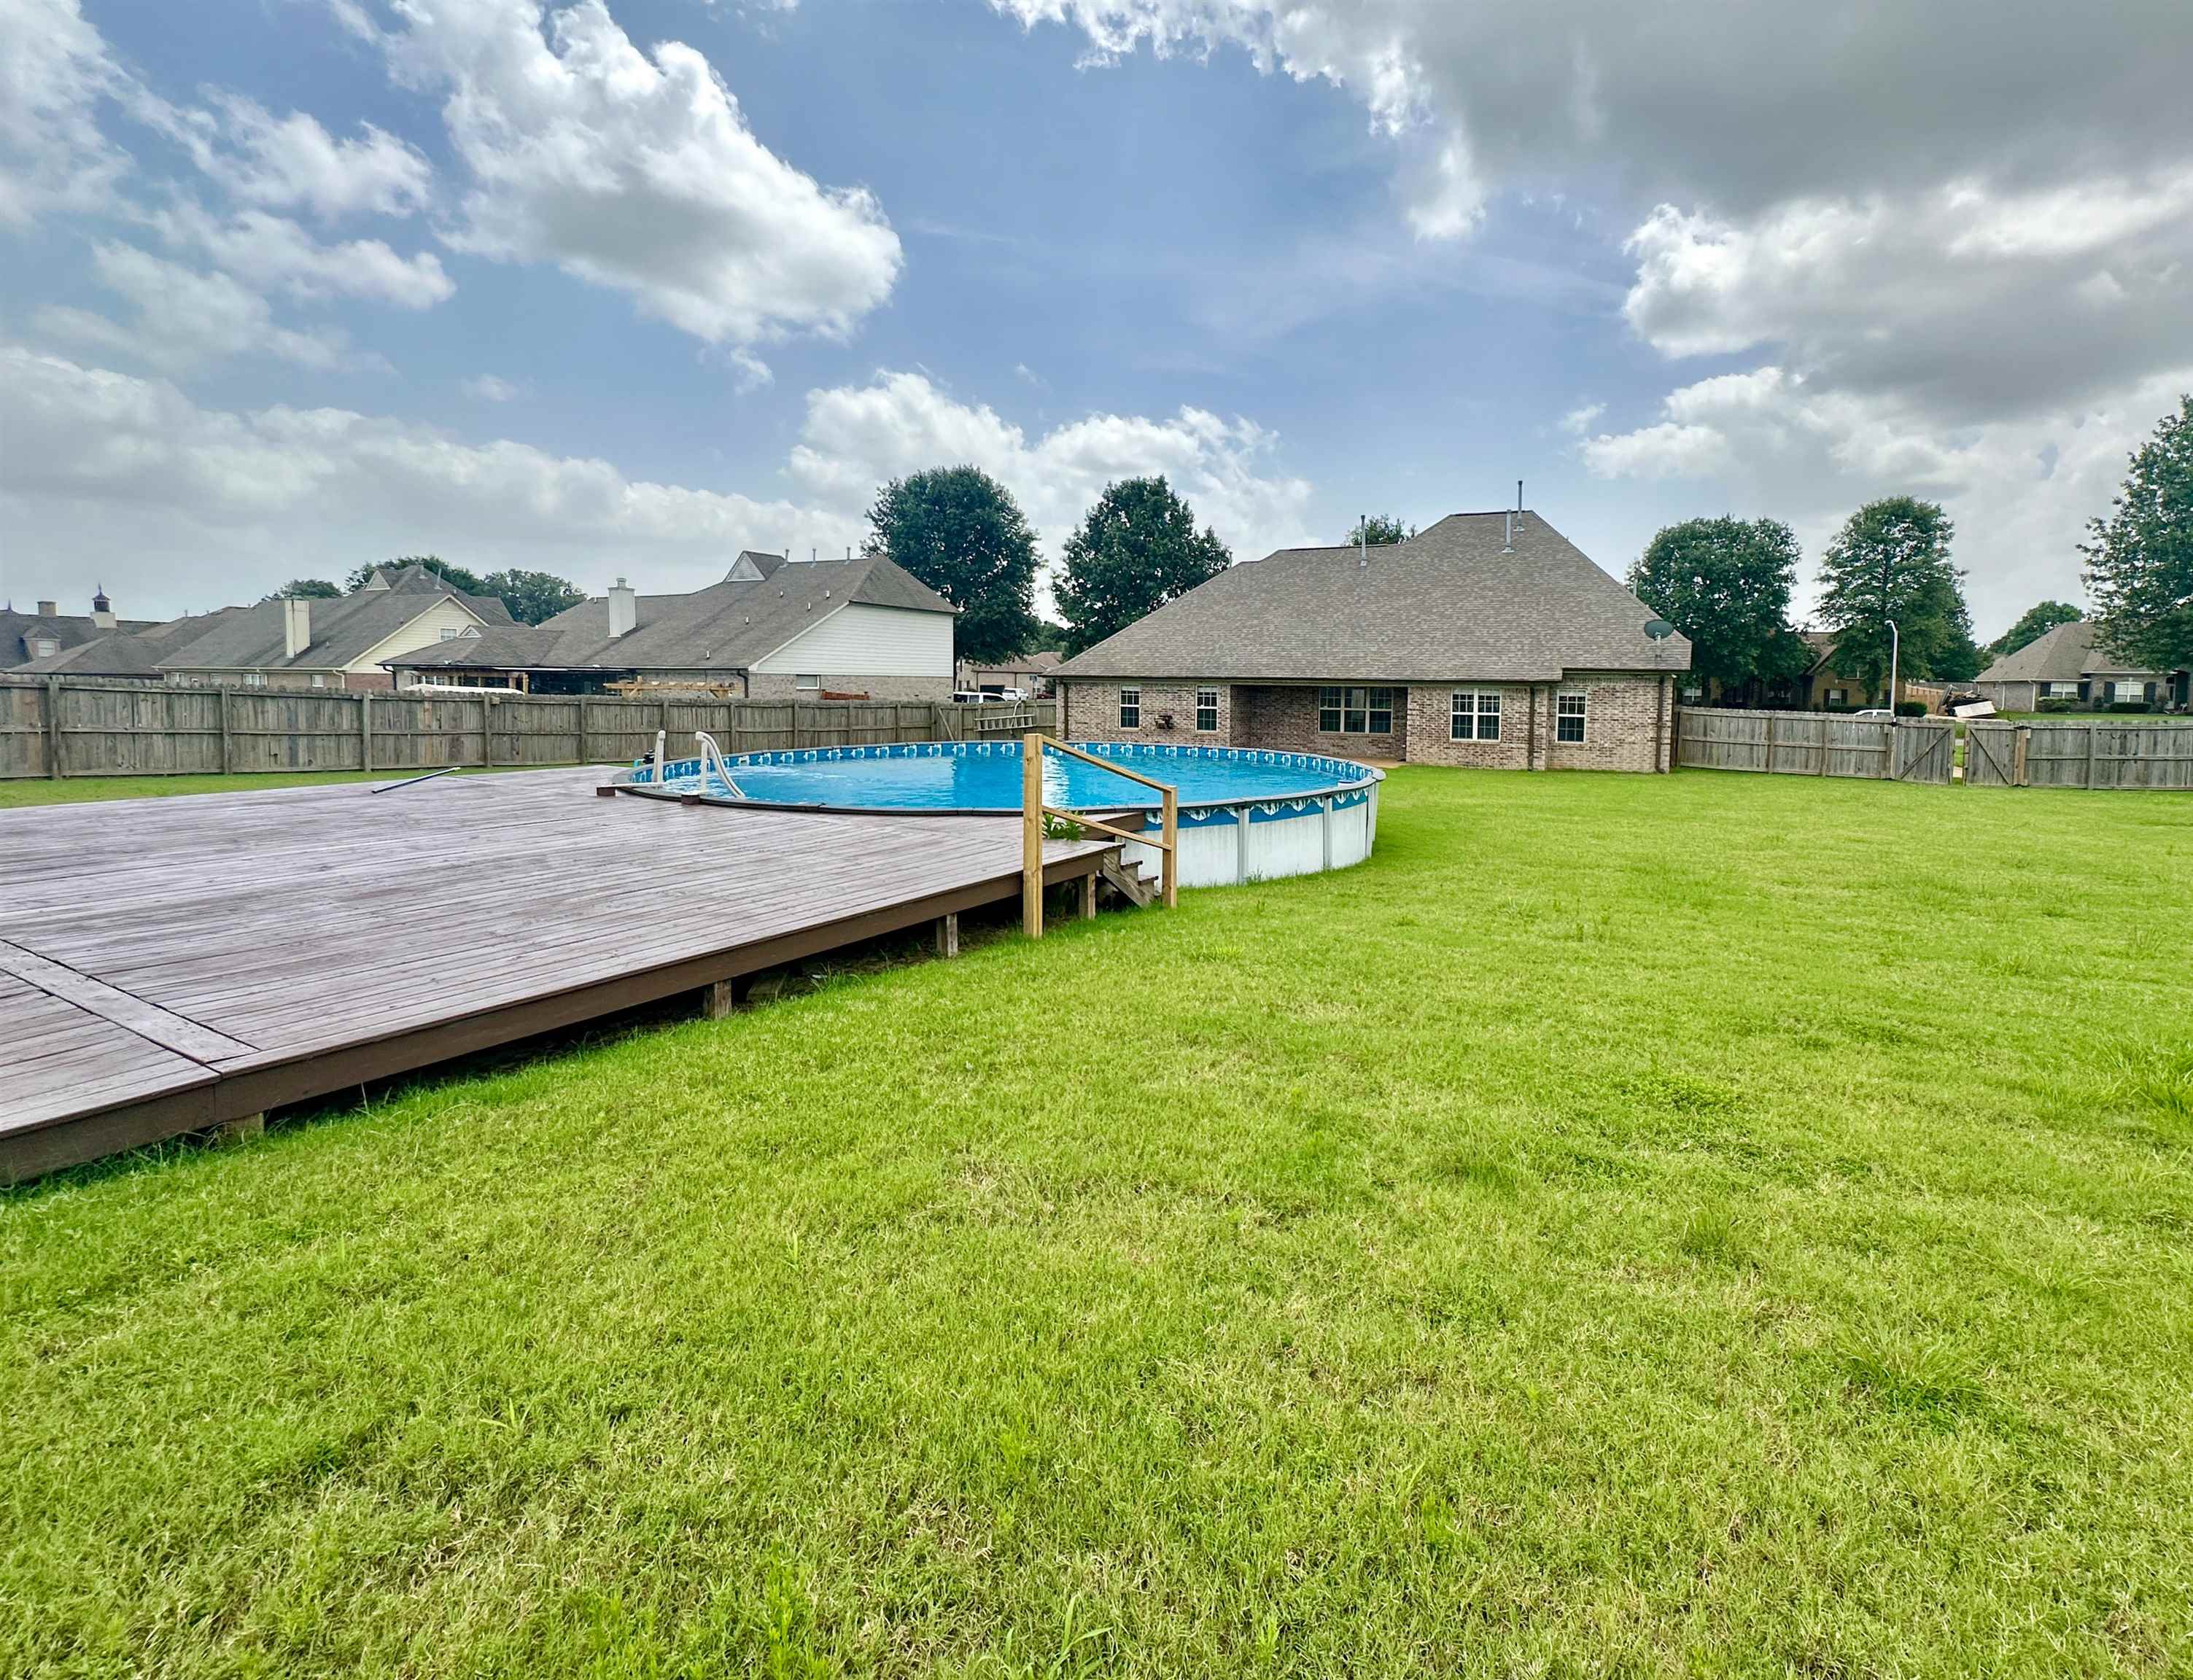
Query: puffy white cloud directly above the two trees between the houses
(861, 435)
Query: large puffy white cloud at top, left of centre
(637, 172)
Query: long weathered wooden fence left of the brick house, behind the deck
(76, 727)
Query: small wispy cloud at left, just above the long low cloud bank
(181, 319)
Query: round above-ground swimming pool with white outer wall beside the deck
(1245, 815)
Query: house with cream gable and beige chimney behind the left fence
(328, 644)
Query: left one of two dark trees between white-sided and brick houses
(964, 534)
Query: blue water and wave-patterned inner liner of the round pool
(986, 777)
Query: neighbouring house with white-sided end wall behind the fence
(769, 631)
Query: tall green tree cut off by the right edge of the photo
(2141, 558)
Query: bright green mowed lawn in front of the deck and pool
(1692, 1225)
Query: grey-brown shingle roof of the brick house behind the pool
(1448, 604)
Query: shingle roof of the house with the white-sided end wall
(725, 626)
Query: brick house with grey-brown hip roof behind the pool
(1486, 639)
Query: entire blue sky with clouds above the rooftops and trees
(626, 288)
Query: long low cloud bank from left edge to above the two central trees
(130, 479)
